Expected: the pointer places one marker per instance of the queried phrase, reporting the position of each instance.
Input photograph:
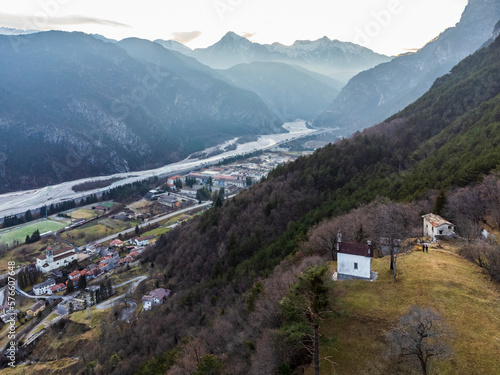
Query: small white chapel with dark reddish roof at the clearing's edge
(353, 260)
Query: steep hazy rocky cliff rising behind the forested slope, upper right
(373, 95)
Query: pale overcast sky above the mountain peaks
(386, 26)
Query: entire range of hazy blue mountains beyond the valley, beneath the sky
(151, 103)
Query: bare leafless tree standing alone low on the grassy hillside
(420, 333)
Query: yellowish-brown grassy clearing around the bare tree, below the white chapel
(462, 293)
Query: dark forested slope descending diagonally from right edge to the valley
(447, 138)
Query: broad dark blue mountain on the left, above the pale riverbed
(57, 88)
